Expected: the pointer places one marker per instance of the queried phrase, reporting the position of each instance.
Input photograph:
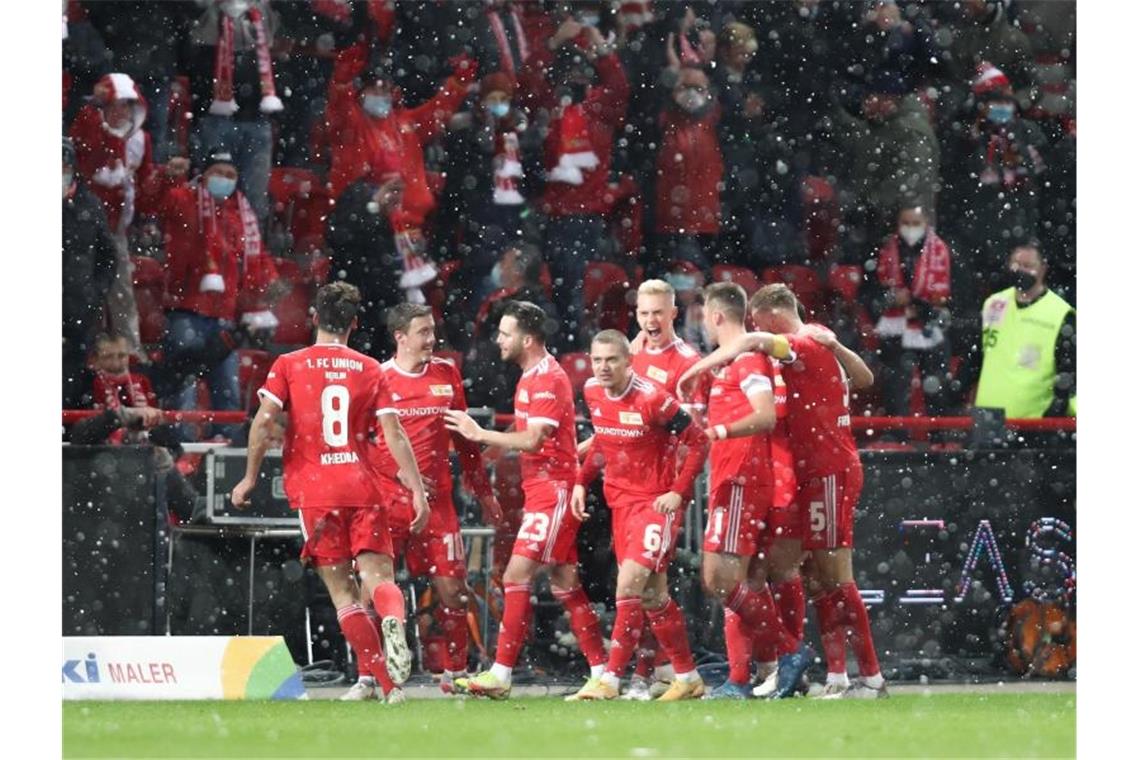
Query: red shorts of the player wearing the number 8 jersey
(338, 535)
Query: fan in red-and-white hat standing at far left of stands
(113, 157)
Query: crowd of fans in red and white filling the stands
(885, 158)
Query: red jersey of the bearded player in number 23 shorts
(544, 395)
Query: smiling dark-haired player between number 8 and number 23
(424, 388)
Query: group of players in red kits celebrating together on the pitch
(367, 464)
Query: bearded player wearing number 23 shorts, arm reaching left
(545, 437)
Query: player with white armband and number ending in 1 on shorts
(742, 414)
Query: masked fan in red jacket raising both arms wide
(378, 140)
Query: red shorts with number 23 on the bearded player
(549, 533)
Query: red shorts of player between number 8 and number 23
(438, 550)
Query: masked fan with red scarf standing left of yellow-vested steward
(914, 269)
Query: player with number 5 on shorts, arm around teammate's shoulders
(828, 470)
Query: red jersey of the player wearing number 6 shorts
(633, 440)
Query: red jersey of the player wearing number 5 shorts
(819, 411)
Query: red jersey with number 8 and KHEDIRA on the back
(333, 396)
